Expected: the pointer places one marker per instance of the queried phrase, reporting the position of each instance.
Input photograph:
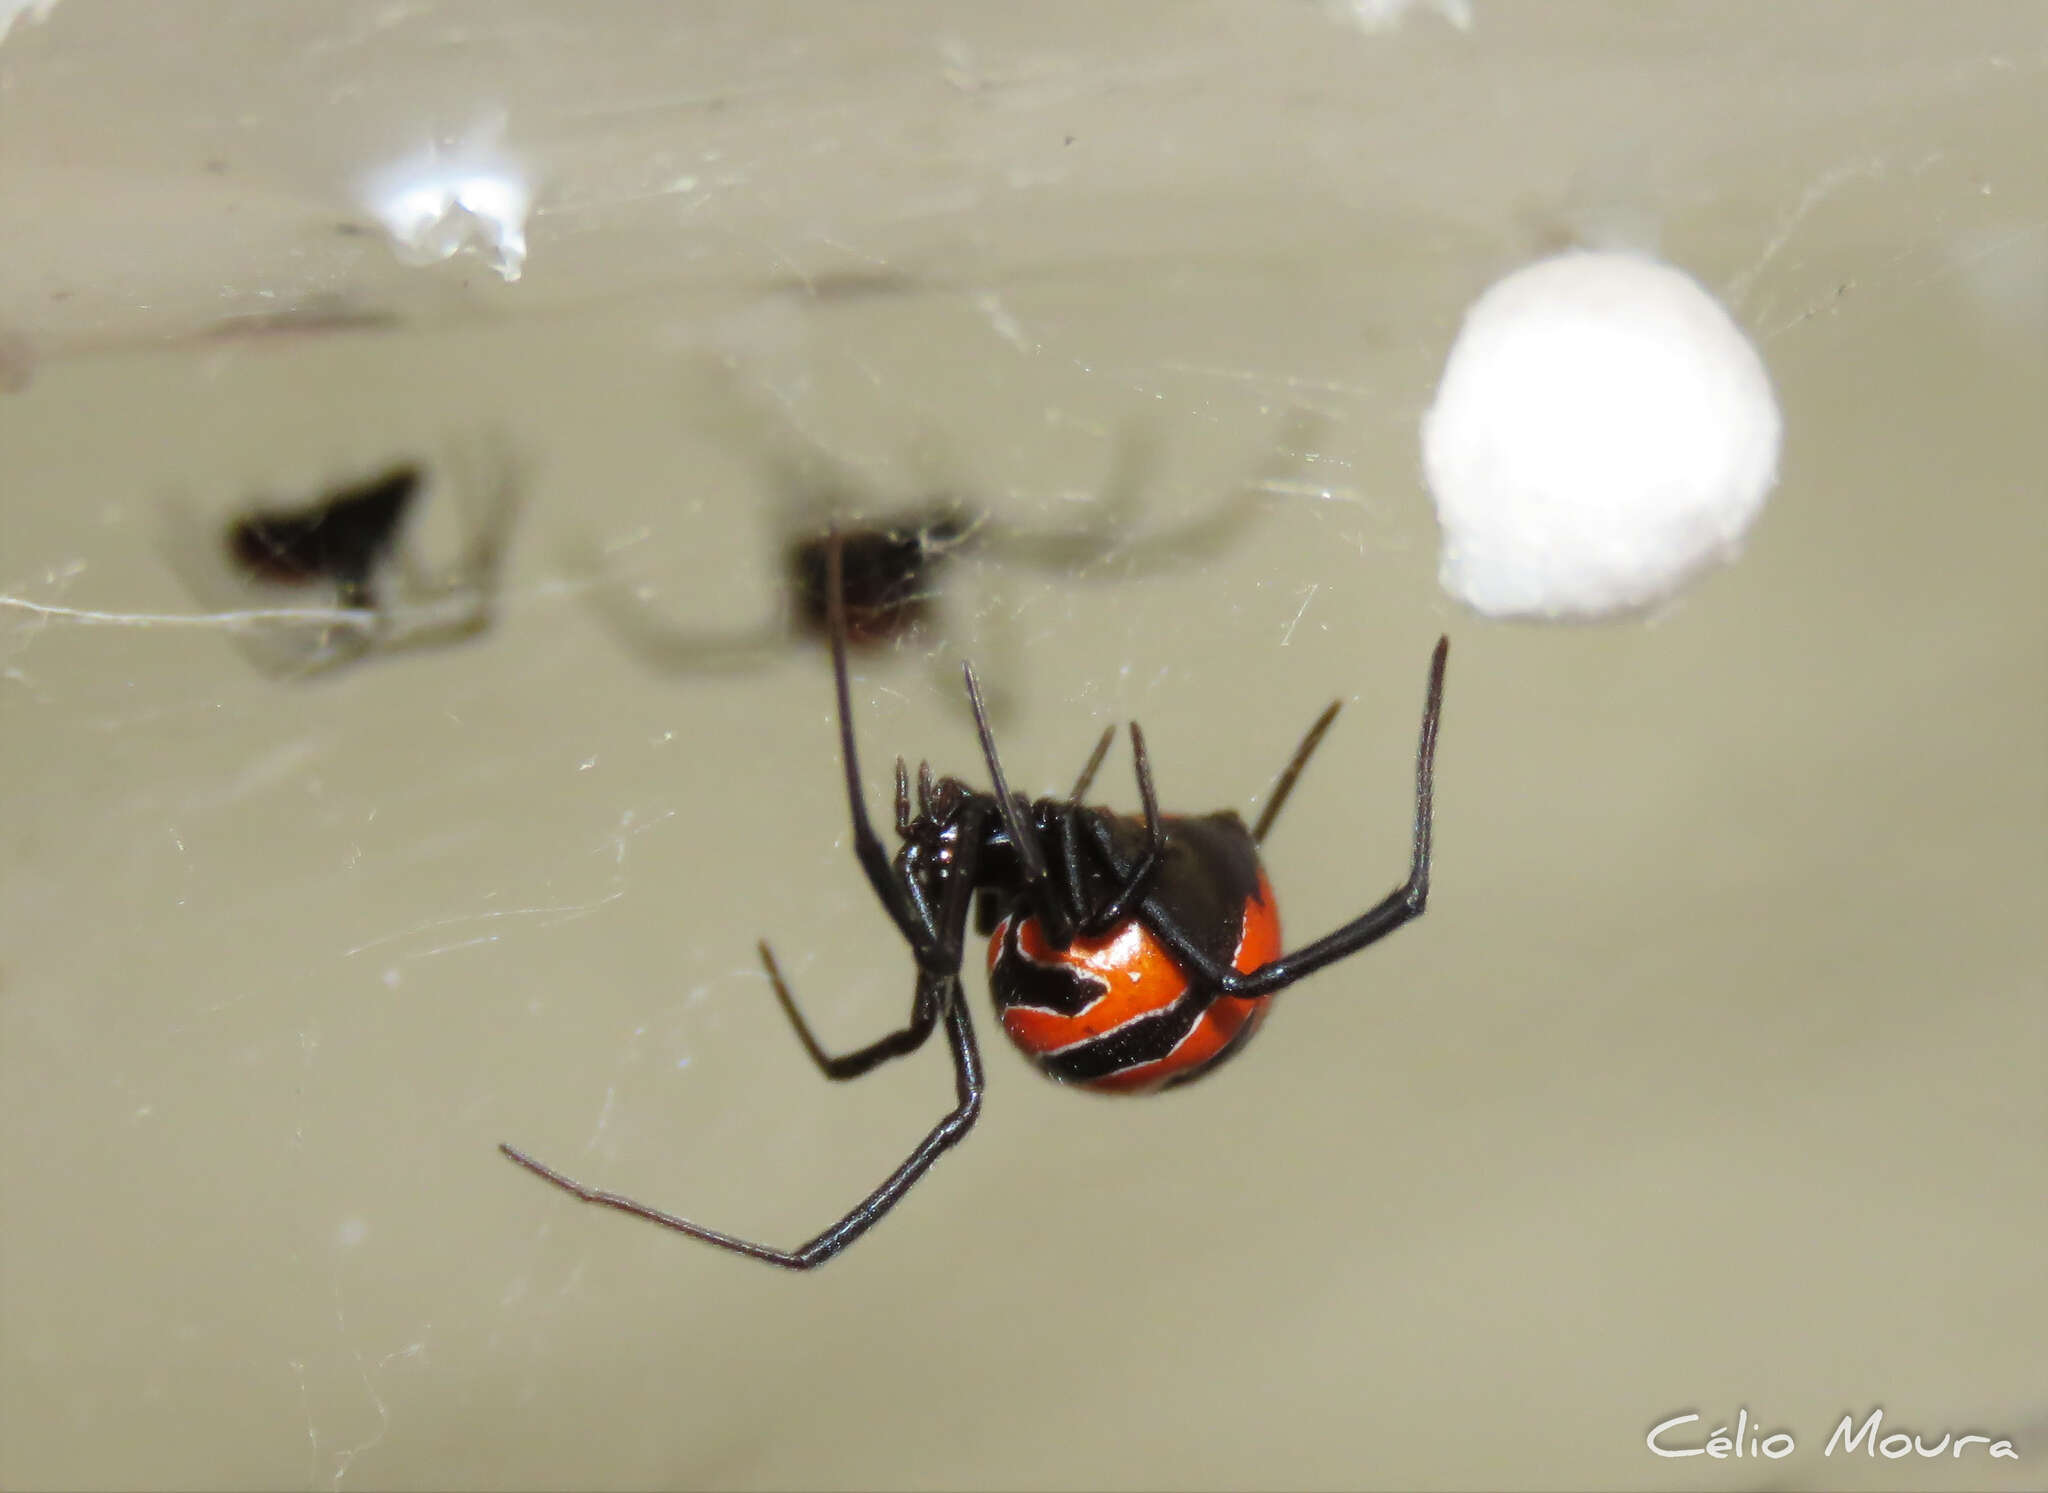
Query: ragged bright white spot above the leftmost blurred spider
(456, 196)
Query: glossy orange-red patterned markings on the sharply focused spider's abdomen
(1111, 1015)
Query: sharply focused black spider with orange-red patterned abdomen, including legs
(1127, 953)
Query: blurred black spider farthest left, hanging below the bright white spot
(357, 544)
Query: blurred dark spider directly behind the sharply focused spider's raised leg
(898, 554)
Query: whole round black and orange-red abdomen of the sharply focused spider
(1117, 1013)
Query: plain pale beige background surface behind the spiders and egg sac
(1713, 1080)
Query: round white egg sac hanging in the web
(1603, 435)
